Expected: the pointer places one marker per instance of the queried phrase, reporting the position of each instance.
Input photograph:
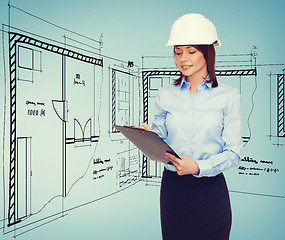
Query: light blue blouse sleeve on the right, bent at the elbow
(232, 139)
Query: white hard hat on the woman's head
(193, 29)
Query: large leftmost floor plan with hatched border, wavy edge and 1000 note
(52, 118)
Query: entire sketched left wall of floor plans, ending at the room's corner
(59, 106)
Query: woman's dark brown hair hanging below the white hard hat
(209, 54)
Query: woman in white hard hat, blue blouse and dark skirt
(201, 120)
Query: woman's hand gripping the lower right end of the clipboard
(184, 165)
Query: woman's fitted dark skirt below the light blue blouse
(194, 208)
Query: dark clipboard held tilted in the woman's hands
(148, 142)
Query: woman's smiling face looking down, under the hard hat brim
(190, 62)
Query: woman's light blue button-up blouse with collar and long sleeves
(206, 126)
